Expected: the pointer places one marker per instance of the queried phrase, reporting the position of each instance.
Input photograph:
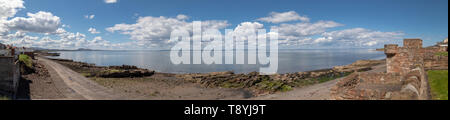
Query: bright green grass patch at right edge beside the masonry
(439, 84)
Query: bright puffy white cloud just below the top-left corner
(41, 22)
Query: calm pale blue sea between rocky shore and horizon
(289, 60)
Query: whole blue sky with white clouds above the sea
(147, 24)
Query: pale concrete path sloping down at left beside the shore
(75, 86)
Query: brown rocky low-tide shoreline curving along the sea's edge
(253, 83)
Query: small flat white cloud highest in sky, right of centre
(276, 17)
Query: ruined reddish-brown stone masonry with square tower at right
(405, 76)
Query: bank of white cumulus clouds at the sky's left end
(45, 23)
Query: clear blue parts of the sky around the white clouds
(426, 19)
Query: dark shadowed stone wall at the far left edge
(9, 76)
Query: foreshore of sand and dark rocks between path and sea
(127, 78)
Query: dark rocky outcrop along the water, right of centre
(264, 84)
